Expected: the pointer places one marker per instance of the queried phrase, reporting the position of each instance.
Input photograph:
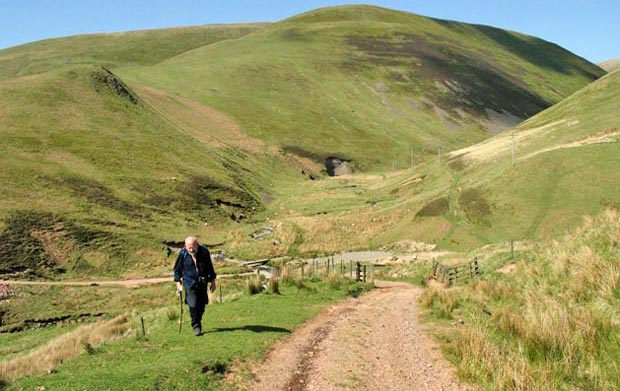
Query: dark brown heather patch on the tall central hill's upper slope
(472, 82)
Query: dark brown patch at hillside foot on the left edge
(24, 243)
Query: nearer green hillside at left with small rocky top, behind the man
(94, 180)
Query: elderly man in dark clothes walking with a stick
(194, 270)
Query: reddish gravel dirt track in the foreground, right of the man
(371, 343)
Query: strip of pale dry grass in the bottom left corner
(64, 347)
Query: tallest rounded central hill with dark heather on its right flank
(367, 84)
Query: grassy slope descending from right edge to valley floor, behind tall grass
(566, 159)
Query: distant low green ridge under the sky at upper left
(145, 47)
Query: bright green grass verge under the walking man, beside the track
(238, 330)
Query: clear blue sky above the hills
(589, 28)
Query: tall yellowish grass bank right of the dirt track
(552, 323)
